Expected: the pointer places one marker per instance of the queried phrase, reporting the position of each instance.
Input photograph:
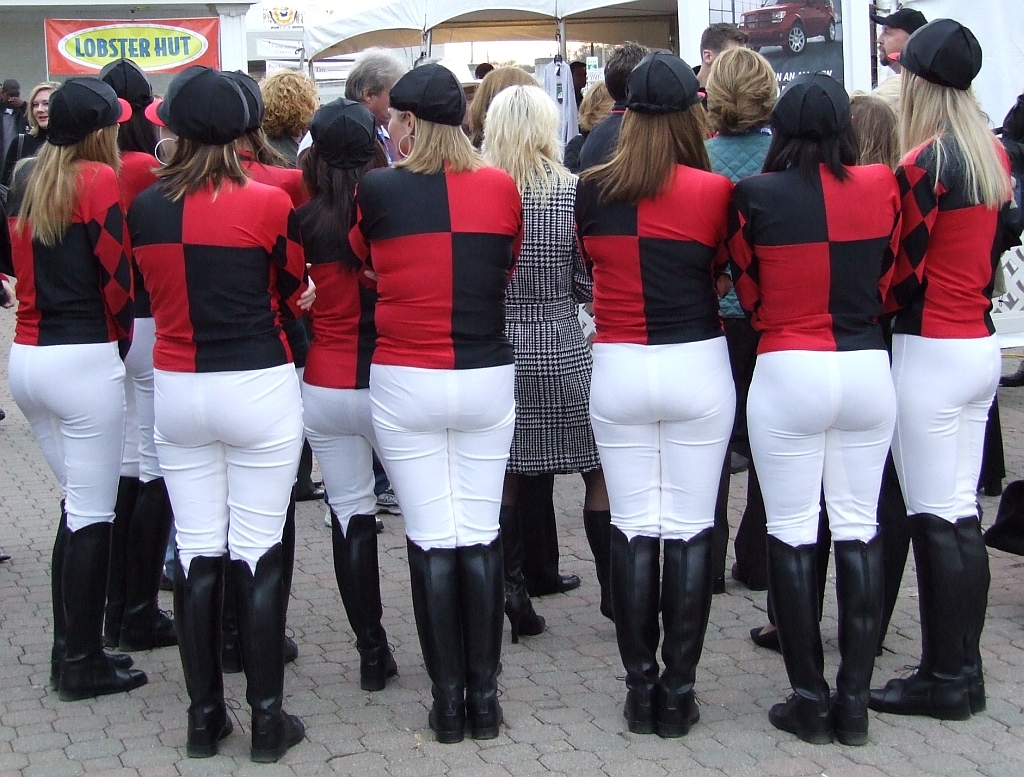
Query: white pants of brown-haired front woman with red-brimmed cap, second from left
(229, 446)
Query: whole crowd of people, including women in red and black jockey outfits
(797, 285)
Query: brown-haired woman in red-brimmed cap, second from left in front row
(221, 256)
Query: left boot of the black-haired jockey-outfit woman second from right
(794, 586)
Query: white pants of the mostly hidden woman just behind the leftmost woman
(139, 392)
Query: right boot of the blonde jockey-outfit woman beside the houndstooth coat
(482, 597)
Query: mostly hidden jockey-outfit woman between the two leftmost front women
(143, 519)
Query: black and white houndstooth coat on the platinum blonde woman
(553, 364)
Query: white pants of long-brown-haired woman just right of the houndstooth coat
(663, 416)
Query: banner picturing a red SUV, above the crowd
(796, 36)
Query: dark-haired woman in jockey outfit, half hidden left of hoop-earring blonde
(336, 381)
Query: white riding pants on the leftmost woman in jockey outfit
(74, 399)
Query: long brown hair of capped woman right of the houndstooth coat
(650, 149)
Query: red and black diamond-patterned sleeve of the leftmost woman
(105, 222)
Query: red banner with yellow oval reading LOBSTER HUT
(82, 48)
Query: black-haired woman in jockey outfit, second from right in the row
(813, 246)
